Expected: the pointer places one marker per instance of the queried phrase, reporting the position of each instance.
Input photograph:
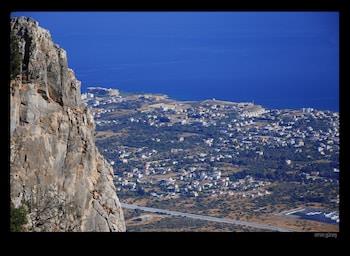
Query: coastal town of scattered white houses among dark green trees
(163, 149)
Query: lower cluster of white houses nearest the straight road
(189, 183)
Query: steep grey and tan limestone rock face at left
(56, 169)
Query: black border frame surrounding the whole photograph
(296, 5)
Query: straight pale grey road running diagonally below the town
(207, 218)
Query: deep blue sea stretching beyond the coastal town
(276, 59)
